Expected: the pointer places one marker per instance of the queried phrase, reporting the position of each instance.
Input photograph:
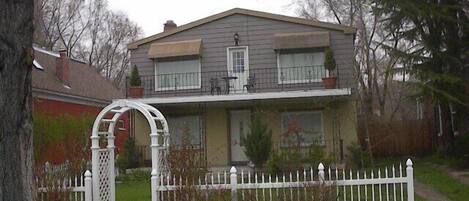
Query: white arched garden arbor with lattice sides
(102, 146)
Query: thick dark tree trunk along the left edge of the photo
(16, 137)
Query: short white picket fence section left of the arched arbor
(78, 188)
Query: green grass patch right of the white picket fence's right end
(438, 180)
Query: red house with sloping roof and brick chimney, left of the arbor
(65, 86)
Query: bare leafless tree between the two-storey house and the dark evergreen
(374, 67)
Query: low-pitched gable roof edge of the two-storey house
(296, 20)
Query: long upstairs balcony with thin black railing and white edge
(254, 84)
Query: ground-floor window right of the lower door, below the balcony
(305, 128)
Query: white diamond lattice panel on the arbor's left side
(104, 177)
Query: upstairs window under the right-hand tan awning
(301, 67)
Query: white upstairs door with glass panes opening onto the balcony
(238, 68)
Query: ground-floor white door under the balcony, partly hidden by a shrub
(240, 121)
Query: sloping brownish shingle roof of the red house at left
(84, 81)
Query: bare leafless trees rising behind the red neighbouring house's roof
(90, 32)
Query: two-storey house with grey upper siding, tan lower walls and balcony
(209, 77)
